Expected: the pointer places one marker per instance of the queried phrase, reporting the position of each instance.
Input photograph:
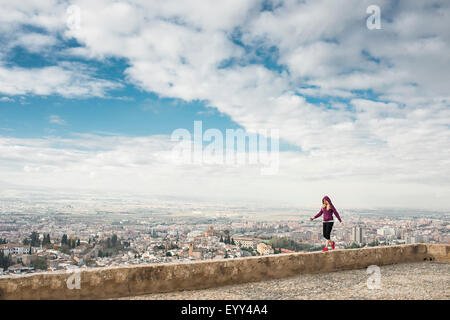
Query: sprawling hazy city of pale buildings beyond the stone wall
(68, 234)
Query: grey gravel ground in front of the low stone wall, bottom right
(427, 280)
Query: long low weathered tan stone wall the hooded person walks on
(101, 283)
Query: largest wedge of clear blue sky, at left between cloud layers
(141, 114)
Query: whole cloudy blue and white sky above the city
(91, 91)
